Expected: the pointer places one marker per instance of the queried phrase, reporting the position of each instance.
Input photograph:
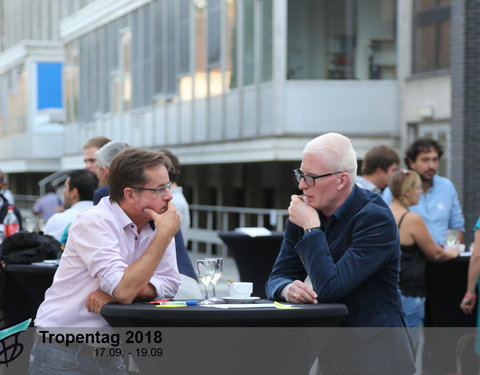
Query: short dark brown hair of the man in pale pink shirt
(128, 169)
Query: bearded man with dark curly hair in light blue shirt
(438, 205)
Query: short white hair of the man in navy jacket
(337, 153)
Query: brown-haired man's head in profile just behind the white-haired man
(378, 165)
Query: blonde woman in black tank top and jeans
(416, 244)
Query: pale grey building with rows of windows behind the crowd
(235, 88)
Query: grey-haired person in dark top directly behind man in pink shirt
(104, 157)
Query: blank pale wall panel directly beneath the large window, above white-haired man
(358, 107)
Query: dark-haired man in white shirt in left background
(78, 194)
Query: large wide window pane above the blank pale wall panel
(341, 39)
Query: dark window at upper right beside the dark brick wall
(431, 36)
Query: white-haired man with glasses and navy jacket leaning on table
(346, 239)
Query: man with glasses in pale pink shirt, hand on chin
(121, 250)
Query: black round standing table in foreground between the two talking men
(207, 340)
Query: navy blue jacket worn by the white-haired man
(354, 259)
